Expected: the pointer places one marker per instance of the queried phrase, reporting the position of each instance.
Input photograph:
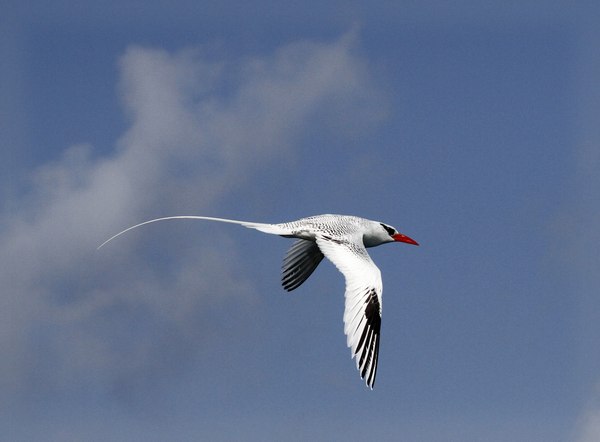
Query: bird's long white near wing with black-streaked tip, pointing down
(362, 312)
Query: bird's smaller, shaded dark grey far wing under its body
(300, 261)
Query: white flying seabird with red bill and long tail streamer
(344, 240)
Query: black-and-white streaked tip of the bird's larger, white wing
(367, 349)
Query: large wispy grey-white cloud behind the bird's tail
(198, 130)
